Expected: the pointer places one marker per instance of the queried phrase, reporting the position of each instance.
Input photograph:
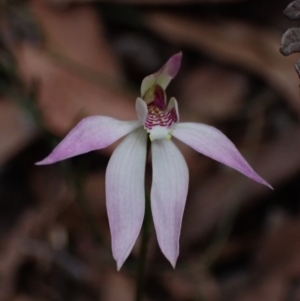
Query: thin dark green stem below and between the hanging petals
(141, 267)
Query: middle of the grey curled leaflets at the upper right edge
(290, 41)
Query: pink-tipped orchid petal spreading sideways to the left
(89, 134)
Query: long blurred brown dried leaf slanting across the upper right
(239, 44)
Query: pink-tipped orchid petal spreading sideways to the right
(211, 142)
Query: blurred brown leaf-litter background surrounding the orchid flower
(63, 60)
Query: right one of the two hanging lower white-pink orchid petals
(168, 195)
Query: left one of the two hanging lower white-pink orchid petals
(125, 193)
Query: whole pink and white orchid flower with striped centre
(125, 174)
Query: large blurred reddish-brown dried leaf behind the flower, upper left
(67, 93)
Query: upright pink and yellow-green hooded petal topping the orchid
(164, 75)
